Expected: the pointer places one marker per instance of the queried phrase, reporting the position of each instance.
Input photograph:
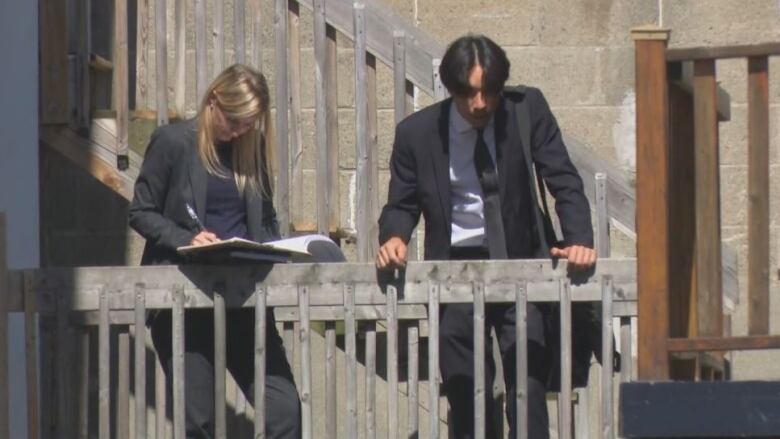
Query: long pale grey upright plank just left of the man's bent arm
(362, 164)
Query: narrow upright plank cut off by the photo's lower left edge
(4, 354)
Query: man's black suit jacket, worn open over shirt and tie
(420, 182)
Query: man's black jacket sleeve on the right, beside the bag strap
(562, 179)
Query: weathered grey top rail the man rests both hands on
(325, 283)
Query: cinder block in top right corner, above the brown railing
(720, 22)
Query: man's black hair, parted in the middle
(466, 52)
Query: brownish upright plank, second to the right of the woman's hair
(297, 204)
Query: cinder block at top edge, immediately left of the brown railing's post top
(594, 23)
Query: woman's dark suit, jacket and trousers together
(171, 177)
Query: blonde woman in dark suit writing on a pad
(203, 180)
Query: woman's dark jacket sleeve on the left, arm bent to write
(151, 188)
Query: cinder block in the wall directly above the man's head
(508, 22)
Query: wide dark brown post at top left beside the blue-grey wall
(54, 63)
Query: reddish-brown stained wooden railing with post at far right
(679, 247)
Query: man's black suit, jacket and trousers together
(420, 184)
